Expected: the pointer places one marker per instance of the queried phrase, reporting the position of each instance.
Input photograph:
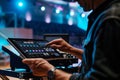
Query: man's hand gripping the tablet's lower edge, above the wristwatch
(39, 66)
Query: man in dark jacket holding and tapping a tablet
(100, 57)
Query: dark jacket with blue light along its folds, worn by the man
(101, 59)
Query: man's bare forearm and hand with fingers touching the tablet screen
(66, 47)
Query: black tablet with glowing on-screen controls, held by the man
(34, 48)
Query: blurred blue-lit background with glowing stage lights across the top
(68, 11)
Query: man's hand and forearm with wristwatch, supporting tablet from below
(40, 67)
